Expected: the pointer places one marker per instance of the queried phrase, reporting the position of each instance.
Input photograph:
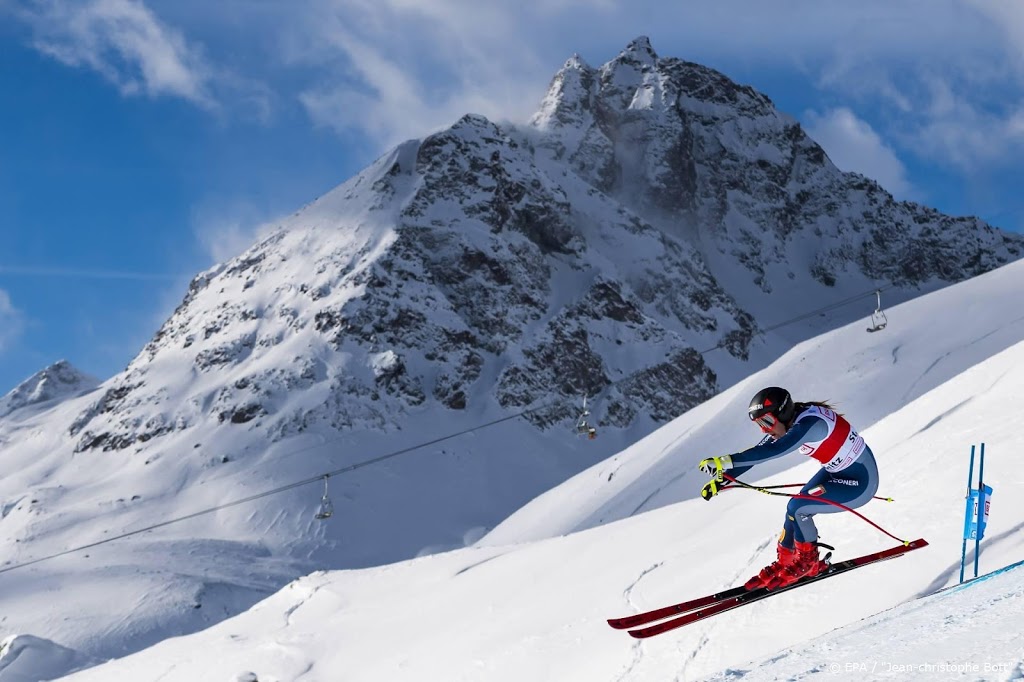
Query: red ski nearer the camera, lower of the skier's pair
(715, 607)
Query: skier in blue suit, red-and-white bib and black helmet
(848, 476)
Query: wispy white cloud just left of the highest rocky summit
(404, 69)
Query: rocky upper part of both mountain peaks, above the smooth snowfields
(653, 208)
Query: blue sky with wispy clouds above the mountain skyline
(142, 142)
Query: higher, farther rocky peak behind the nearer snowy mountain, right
(715, 163)
